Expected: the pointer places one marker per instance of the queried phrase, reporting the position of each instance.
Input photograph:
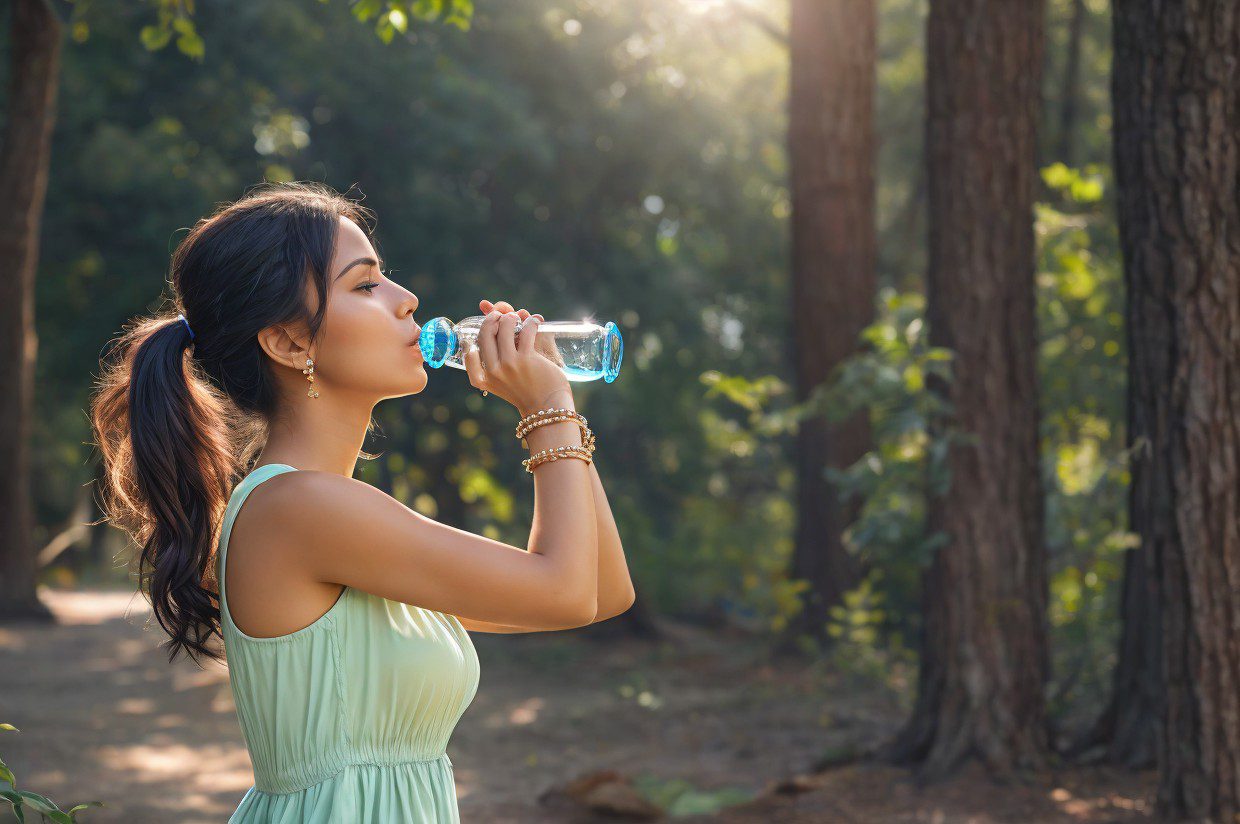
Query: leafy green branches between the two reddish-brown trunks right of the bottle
(888, 380)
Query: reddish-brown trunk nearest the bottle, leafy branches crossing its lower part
(831, 152)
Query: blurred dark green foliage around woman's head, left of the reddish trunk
(523, 163)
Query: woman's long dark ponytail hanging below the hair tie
(168, 467)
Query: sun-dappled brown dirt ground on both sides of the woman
(102, 716)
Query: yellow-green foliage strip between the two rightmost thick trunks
(1083, 374)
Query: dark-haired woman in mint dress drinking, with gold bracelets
(343, 613)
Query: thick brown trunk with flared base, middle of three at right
(984, 652)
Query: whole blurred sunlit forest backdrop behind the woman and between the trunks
(626, 162)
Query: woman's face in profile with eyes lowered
(368, 346)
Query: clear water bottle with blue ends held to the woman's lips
(587, 351)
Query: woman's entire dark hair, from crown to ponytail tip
(179, 421)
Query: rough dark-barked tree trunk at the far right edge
(1177, 158)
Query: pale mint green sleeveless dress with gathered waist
(348, 719)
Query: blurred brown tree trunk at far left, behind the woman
(25, 153)
